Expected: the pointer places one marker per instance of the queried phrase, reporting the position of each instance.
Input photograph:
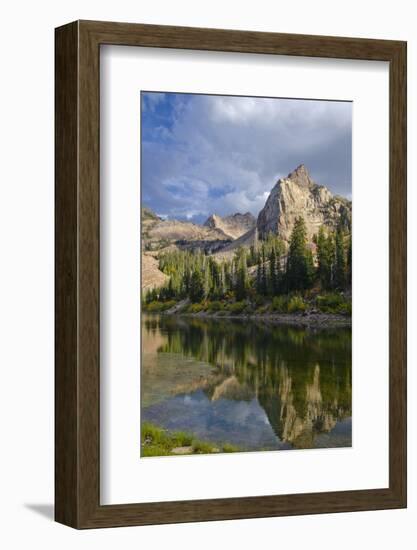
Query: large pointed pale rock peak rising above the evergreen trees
(296, 195)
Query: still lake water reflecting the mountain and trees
(256, 385)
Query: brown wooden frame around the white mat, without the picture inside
(77, 370)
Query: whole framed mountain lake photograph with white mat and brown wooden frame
(230, 274)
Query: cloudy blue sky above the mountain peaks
(204, 154)
